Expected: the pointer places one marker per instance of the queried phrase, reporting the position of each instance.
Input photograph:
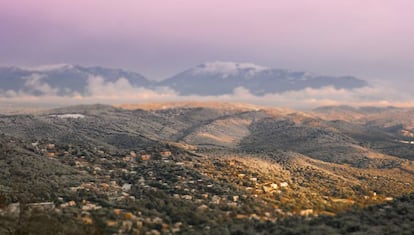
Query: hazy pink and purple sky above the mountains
(373, 39)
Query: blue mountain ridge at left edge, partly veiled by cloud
(64, 79)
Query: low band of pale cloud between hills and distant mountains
(122, 92)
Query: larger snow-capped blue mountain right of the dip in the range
(218, 78)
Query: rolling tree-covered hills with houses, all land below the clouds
(206, 168)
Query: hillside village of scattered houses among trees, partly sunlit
(128, 189)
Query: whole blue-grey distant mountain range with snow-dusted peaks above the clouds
(209, 79)
